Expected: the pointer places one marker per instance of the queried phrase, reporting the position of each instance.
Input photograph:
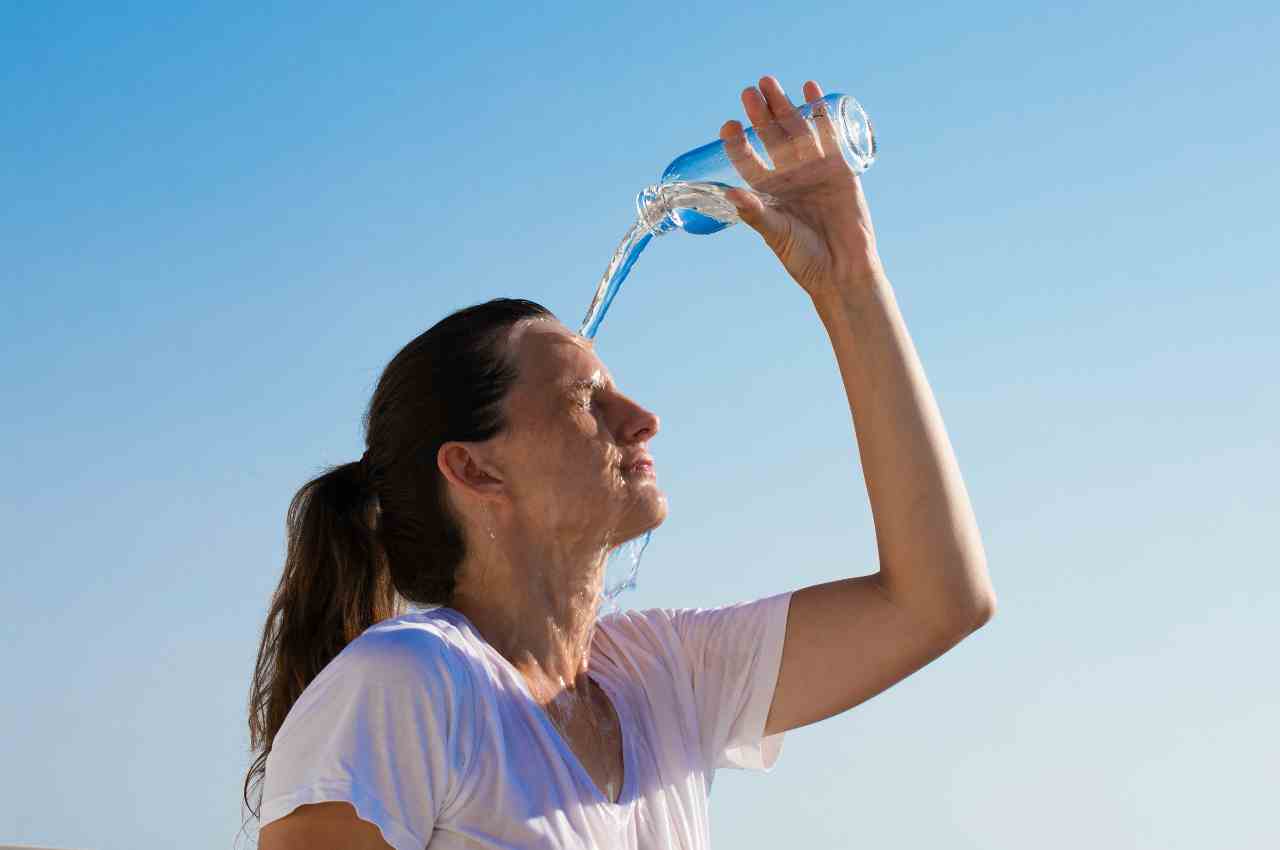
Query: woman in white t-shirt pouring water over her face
(504, 464)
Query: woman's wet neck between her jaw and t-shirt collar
(537, 611)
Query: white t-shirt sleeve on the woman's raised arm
(735, 654)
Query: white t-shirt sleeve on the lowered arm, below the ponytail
(380, 728)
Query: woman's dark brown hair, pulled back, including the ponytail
(367, 536)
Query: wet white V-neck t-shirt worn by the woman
(435, 737)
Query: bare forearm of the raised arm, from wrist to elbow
(931, 552)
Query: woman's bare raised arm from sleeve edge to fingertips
(848, 641)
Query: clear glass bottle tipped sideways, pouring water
(691, 196)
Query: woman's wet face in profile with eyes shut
(572, 442)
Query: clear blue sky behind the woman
(221, 221)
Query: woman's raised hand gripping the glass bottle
(817, 221)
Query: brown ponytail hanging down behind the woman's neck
(336, 586)
